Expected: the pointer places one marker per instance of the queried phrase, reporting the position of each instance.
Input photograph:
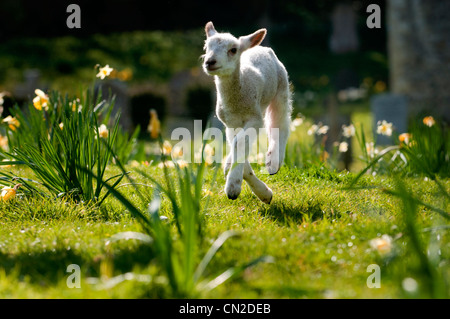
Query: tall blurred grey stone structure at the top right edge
(419, 54)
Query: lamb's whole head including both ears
(223, 51)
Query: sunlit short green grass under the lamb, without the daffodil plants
(317, 232)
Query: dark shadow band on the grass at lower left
(48, 267)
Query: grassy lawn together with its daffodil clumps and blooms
(74, 223)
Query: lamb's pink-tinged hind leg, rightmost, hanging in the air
(277, 120)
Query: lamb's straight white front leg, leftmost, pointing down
(241, 145)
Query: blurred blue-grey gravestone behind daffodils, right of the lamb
(392, 108)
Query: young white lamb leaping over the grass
(252, 92)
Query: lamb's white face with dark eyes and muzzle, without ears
(222, 54)
